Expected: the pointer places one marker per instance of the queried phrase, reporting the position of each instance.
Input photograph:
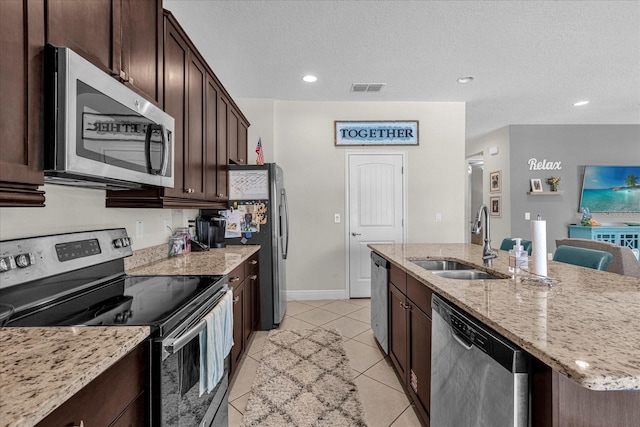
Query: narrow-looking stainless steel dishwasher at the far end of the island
(379, 297)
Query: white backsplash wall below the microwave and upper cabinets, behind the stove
(71, 209)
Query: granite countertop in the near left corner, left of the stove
(40, 368)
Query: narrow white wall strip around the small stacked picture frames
(500, 226)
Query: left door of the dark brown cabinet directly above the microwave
(91, 28)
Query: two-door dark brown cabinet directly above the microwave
(122, 37)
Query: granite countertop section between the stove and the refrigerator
(214, 261)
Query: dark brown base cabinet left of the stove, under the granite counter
(115, 398)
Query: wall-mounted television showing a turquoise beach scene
(611, 189)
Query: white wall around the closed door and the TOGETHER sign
(315, 178)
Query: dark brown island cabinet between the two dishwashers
(410, 336)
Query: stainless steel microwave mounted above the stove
(98, 132)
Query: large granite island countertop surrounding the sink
(586, 327)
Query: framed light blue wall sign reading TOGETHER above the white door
(402, 132)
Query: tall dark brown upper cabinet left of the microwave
(22, 24)
